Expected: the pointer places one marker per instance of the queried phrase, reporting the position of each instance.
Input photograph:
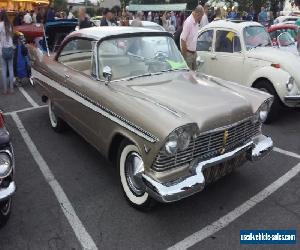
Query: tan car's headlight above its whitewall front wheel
(180, 139)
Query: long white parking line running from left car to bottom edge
(82, 235)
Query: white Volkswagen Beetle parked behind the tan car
(243, 53)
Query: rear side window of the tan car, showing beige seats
(77, 54)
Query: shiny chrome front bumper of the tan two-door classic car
(184, 187)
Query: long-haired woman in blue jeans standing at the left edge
(6, 50)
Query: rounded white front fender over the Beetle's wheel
(278, 78)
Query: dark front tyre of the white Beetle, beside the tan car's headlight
(267, 87)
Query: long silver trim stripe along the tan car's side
(95, 106)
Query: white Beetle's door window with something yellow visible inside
(227, 41)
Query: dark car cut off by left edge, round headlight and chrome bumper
(7, 165)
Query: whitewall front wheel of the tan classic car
(130, 164)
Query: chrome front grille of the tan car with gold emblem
(209, 145)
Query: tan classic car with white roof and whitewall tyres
(169, 131)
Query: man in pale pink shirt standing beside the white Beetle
(188, 38)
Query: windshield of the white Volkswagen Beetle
(256, 36)
